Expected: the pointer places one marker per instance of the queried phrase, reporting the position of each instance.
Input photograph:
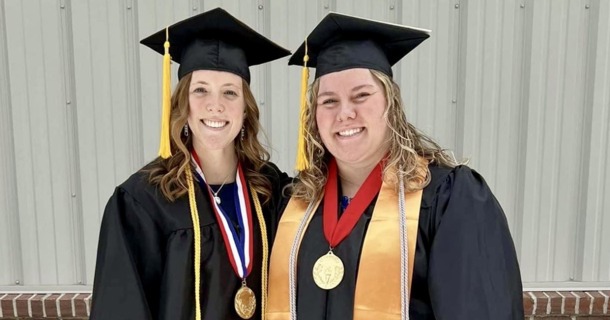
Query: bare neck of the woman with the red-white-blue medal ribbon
(217, 165)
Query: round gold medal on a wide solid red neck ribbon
(328, 270)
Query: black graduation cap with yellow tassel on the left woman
(213, 40)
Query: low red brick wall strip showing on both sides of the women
(549, 305)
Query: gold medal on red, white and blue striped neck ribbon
(239, 245)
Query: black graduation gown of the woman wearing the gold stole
(465, 261)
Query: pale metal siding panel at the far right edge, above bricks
(594, 260)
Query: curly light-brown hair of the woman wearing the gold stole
(409, 152)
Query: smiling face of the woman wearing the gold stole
(350, 109)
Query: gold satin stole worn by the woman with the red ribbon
(378, 284)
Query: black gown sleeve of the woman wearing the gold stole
(473, 267)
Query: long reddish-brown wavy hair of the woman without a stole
(169, 174)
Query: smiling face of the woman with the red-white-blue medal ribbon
(216, 109)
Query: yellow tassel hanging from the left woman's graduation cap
(164, 145)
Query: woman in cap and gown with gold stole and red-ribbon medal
(383, 223)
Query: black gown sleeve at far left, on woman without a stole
(129, 260)
